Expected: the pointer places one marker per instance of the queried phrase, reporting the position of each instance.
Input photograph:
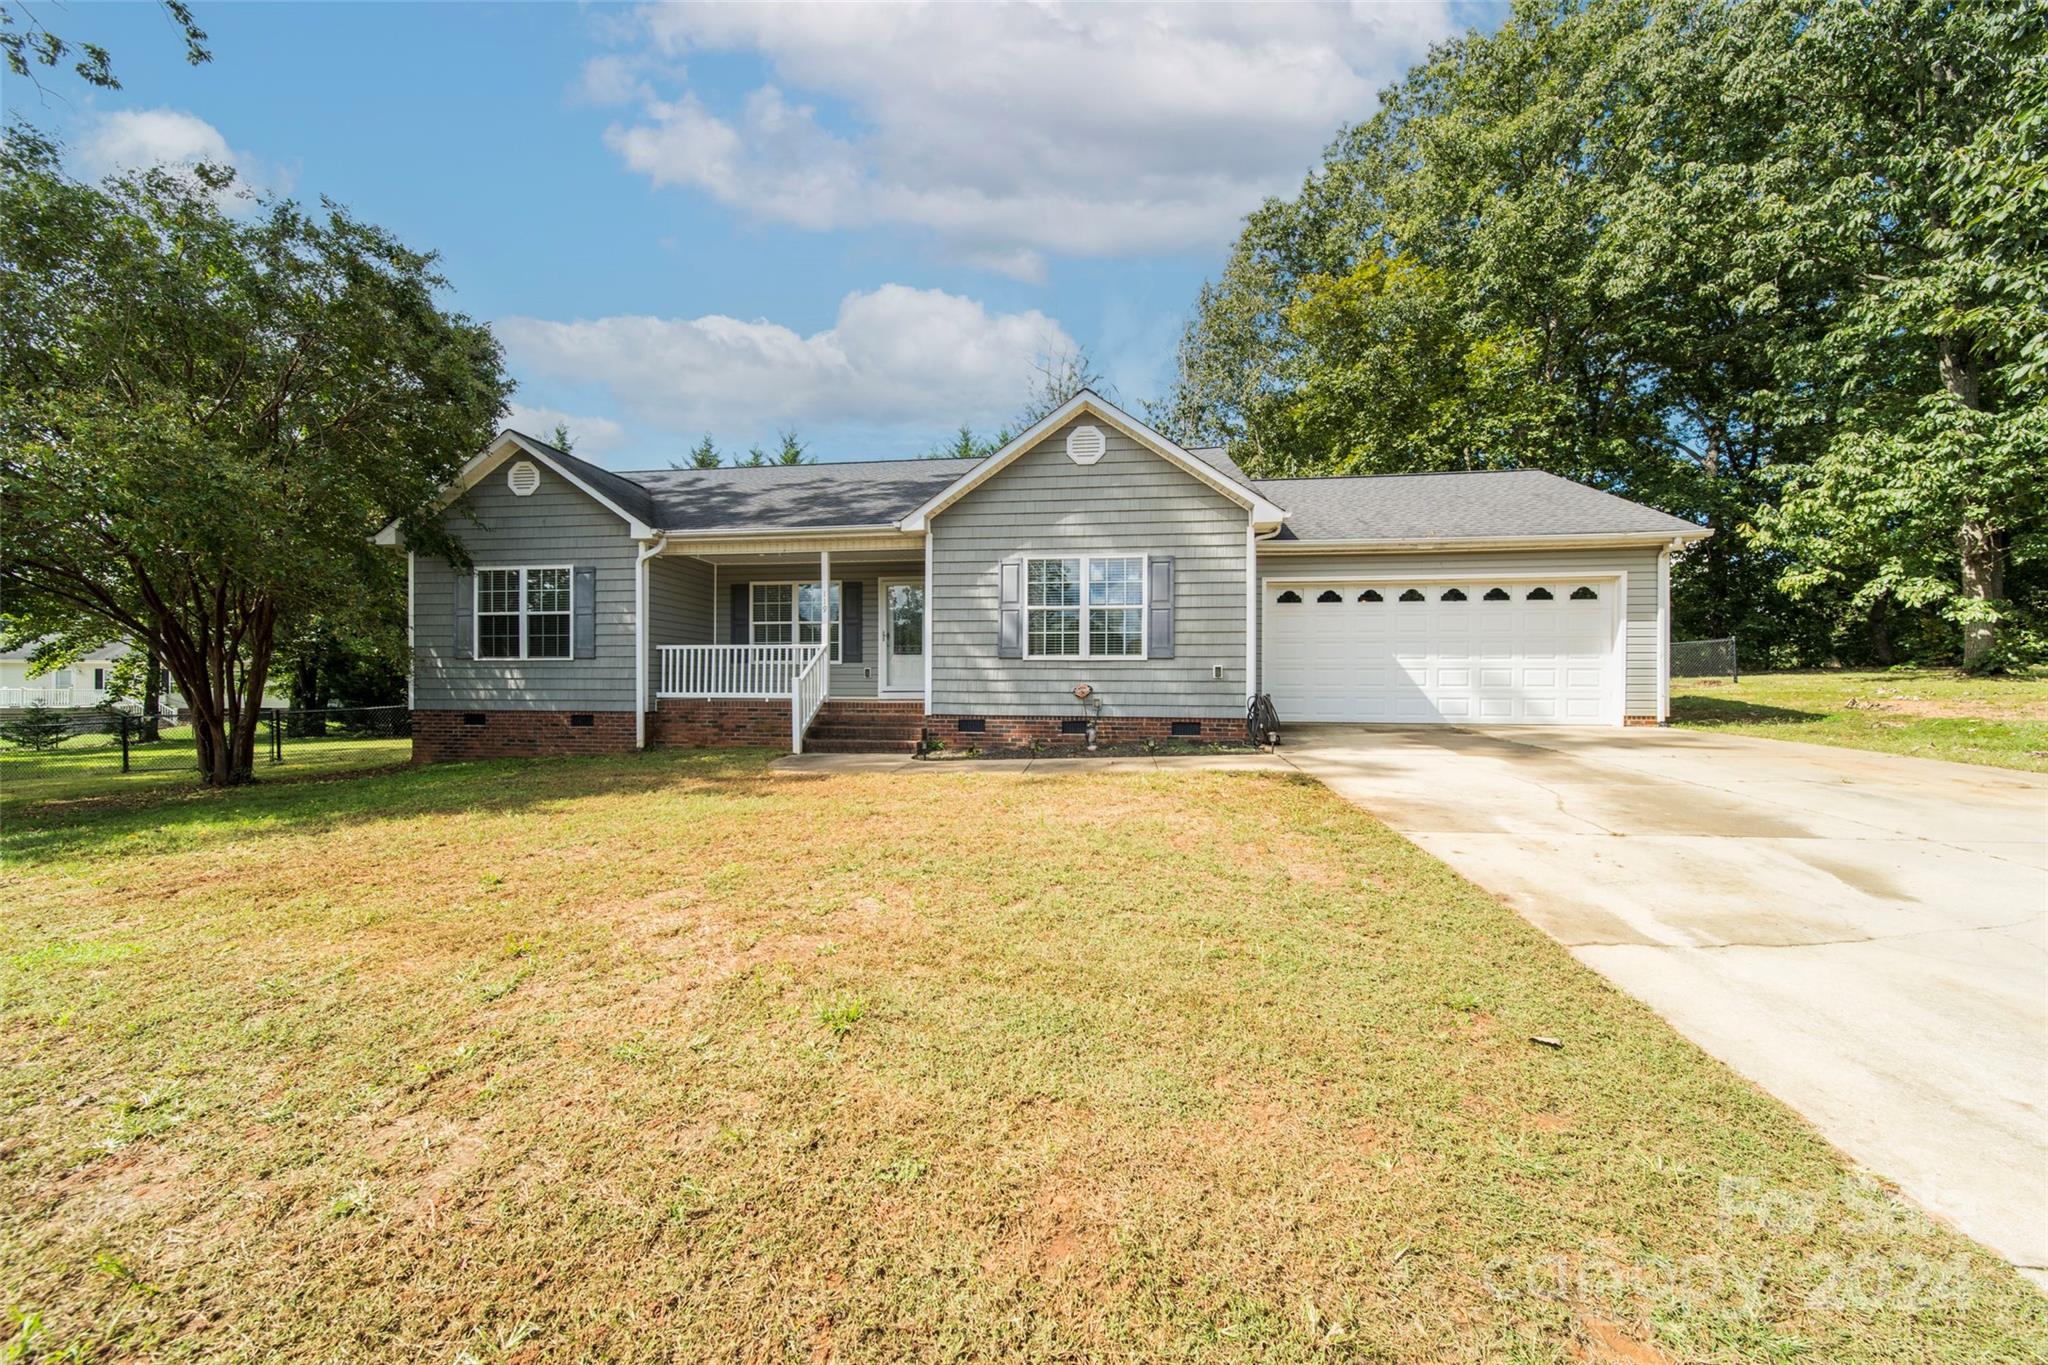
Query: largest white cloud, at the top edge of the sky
(1019, 130)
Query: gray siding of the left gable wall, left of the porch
(554, 527)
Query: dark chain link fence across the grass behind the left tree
(52, 754)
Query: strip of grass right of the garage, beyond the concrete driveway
(1926, 713)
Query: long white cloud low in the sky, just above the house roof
(898, 357)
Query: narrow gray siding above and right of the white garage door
(1639, 564)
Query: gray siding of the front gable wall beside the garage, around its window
(1127, 502)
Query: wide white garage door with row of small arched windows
(1445, 654)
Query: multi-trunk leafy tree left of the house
(210, 406)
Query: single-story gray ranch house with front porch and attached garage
(1089, 574)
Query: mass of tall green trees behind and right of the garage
(1775, 265)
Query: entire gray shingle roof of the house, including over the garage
(1451, 507)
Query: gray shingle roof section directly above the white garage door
(1457, 507)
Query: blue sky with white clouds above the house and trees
(855, 222)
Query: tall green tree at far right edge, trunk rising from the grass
(1936, 478)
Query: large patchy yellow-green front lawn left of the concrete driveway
(683, 1059)
